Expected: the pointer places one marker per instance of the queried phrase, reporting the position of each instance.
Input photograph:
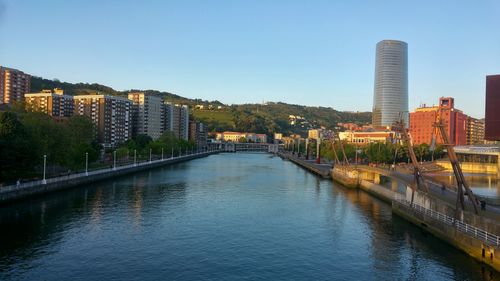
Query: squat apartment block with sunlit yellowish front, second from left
(52, 102)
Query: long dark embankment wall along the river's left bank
(36, 188)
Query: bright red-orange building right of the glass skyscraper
(422, 120)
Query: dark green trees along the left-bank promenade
(25, 137)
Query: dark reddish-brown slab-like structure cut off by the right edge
(492, 116)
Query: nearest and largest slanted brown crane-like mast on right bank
(462, 186)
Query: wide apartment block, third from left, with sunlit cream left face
(111, 116)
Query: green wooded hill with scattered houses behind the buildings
(259, 118)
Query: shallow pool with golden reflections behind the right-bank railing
(482, 184)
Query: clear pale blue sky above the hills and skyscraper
(304, 52)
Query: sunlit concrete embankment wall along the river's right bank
(476, 235)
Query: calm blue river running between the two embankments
(223, 217)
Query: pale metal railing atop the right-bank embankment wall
(480, 234)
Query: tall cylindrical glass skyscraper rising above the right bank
(390, 99)
